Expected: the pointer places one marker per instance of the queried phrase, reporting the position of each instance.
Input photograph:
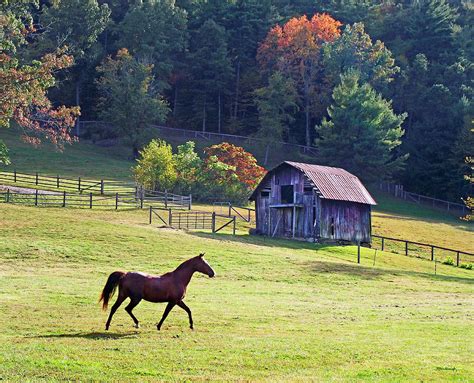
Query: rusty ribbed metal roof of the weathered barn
(333, 183)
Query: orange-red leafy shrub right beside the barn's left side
(246, 168)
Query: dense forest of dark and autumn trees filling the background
(382, 88)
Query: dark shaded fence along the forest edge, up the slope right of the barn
(399, 192)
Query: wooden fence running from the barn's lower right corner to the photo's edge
(421, 250)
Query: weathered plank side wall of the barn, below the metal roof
(351, 220)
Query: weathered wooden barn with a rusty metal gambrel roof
(313, 202)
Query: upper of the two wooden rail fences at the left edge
(80, 185)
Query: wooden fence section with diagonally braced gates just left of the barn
(192, 220)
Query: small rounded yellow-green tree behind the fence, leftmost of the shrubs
(155, 169)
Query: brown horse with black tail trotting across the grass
(169, 287)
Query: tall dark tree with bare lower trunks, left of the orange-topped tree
(212, 70)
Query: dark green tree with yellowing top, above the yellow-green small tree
(129, 100)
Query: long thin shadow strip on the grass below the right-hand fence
(365, 272)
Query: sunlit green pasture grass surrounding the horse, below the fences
(277, 310)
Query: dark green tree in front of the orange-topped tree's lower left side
(276, 105)
